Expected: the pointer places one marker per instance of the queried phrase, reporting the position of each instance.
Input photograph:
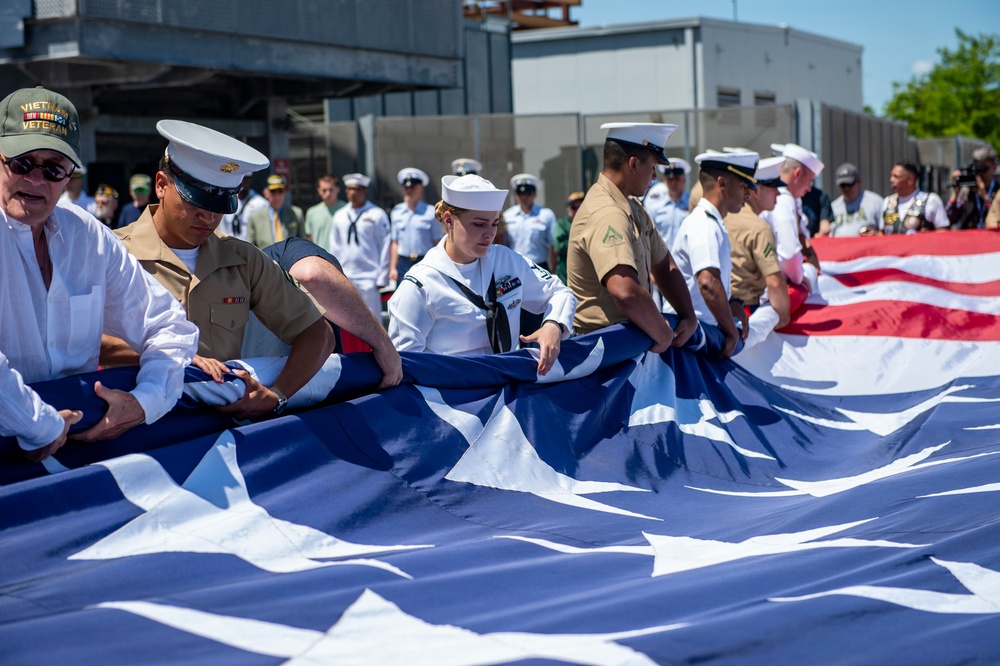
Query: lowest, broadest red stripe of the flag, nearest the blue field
(899, 319)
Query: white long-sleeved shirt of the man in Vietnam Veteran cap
(97, 286)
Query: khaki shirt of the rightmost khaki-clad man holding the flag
(754, 254)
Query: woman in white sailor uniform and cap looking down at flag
(466, 296)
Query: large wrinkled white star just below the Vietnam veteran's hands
(213, 513)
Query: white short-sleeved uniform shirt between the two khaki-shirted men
(702, 242)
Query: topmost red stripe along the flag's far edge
(945, 243)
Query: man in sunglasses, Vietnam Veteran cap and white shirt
(66, 279)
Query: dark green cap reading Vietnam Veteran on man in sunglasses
(39, 119)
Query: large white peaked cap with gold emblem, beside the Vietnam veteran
(209, 156)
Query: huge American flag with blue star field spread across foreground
(830, 498)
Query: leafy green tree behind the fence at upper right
(960, 95)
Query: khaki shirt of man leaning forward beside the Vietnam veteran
(231, 278)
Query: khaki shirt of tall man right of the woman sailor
(609, 230)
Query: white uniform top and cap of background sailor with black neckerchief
(359, 238)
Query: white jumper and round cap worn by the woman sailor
(430, 312)
